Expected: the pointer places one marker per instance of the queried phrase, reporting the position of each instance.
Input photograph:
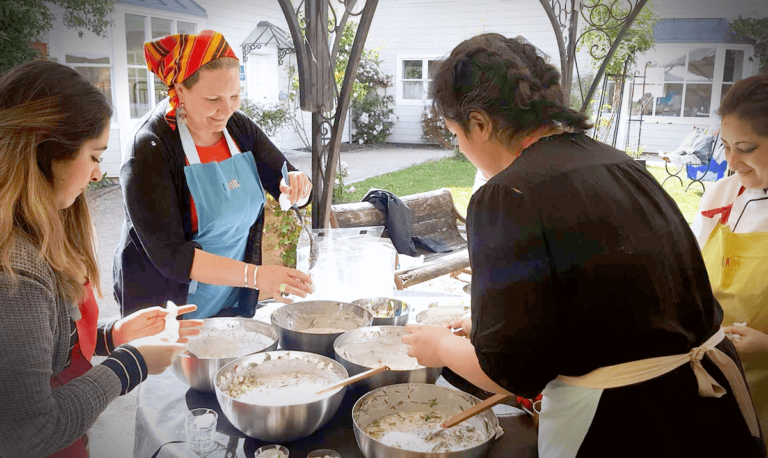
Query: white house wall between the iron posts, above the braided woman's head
(431, 29)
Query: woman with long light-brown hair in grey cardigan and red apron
(54, 127)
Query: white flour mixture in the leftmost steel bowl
(228, 343)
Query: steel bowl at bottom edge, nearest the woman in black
(419, 397)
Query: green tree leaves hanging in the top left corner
(25, 21)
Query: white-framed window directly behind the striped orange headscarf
(146, 92)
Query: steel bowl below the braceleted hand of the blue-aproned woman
(292, 320)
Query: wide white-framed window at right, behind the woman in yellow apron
(687, 81)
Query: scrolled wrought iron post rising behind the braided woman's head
(564, 16)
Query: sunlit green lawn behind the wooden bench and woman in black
(458, 176)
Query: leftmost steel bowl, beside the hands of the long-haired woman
(198, 373)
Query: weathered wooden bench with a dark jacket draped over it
(433, 214)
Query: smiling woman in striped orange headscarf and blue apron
(194, 182)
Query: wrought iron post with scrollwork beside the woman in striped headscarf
(318, 92)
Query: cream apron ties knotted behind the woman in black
(640, 371)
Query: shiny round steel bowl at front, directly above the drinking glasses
(281, 423)
